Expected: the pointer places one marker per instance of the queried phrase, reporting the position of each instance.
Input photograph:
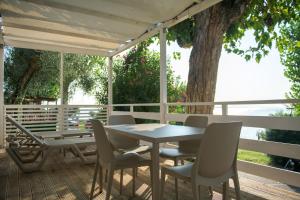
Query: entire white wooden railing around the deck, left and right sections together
(40, 118)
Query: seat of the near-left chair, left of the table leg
(131, 160)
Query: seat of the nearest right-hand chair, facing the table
(182, 171)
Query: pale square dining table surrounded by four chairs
(156, 134)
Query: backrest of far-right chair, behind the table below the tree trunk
(192, 146)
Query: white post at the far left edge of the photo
(2, 122)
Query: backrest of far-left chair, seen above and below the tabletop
(117, 140)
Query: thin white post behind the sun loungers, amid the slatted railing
(61, 93)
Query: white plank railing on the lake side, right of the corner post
(267, 147)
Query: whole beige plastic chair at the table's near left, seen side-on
(108, 160)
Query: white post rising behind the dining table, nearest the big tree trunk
(163, 76)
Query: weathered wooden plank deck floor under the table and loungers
(68, 178)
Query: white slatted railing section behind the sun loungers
(38, 118)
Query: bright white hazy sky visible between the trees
(237, 80)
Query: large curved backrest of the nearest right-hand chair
(218, 150)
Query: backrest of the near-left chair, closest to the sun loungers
(104, 148)
